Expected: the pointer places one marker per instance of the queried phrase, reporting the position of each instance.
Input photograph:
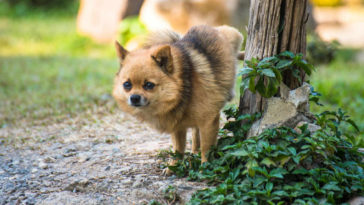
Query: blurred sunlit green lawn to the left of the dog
(47, 70)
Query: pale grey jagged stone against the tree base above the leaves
(284, 112)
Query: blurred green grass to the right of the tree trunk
(340, 84)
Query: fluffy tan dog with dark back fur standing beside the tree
(178, 82)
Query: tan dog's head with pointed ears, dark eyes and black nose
(146, 81)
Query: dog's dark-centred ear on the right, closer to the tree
(163, 57)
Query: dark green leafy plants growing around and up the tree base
(280, 165)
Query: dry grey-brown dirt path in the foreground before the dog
(99, 160)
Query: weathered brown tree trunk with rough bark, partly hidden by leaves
(274, 26)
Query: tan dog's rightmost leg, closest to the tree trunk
(209, 132)
